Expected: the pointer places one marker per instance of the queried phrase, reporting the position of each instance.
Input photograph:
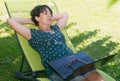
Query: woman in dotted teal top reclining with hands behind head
(48, 41)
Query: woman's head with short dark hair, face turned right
(39, 13)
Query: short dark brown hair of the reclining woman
(36, 12)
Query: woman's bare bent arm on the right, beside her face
(61, 19)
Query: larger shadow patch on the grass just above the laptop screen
(98, 48)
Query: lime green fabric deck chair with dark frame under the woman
(36, 71)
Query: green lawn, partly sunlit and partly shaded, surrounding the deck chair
(92, 28)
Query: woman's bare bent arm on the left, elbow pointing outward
(18, 25)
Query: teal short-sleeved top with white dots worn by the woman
(49, 46)
